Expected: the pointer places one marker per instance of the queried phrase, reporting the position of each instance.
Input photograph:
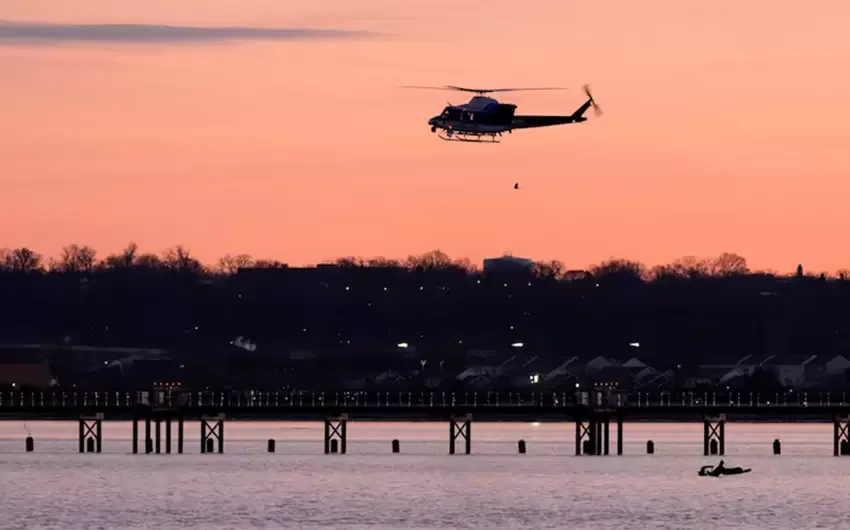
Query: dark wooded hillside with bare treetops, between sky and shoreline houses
(687, 312)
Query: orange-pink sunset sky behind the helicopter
(726, 128)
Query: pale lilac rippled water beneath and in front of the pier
(423, 487)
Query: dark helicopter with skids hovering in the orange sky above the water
(484, 119)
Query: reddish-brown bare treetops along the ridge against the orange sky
(76, 258)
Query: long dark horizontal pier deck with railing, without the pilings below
(519, 406)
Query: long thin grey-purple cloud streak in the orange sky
(48, 32)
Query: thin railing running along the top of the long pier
(185, 399)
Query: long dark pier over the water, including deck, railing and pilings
(592, 412)
